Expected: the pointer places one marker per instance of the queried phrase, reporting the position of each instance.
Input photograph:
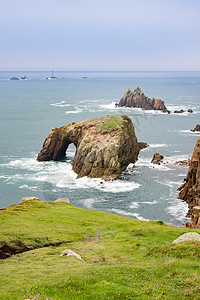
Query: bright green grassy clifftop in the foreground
(131, 260)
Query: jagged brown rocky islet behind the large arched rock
(139, 100)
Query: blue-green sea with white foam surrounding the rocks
(30, 108)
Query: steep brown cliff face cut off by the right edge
(190, 189)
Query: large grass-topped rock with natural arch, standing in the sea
(104, 146)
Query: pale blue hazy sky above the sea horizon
(132, 35)
